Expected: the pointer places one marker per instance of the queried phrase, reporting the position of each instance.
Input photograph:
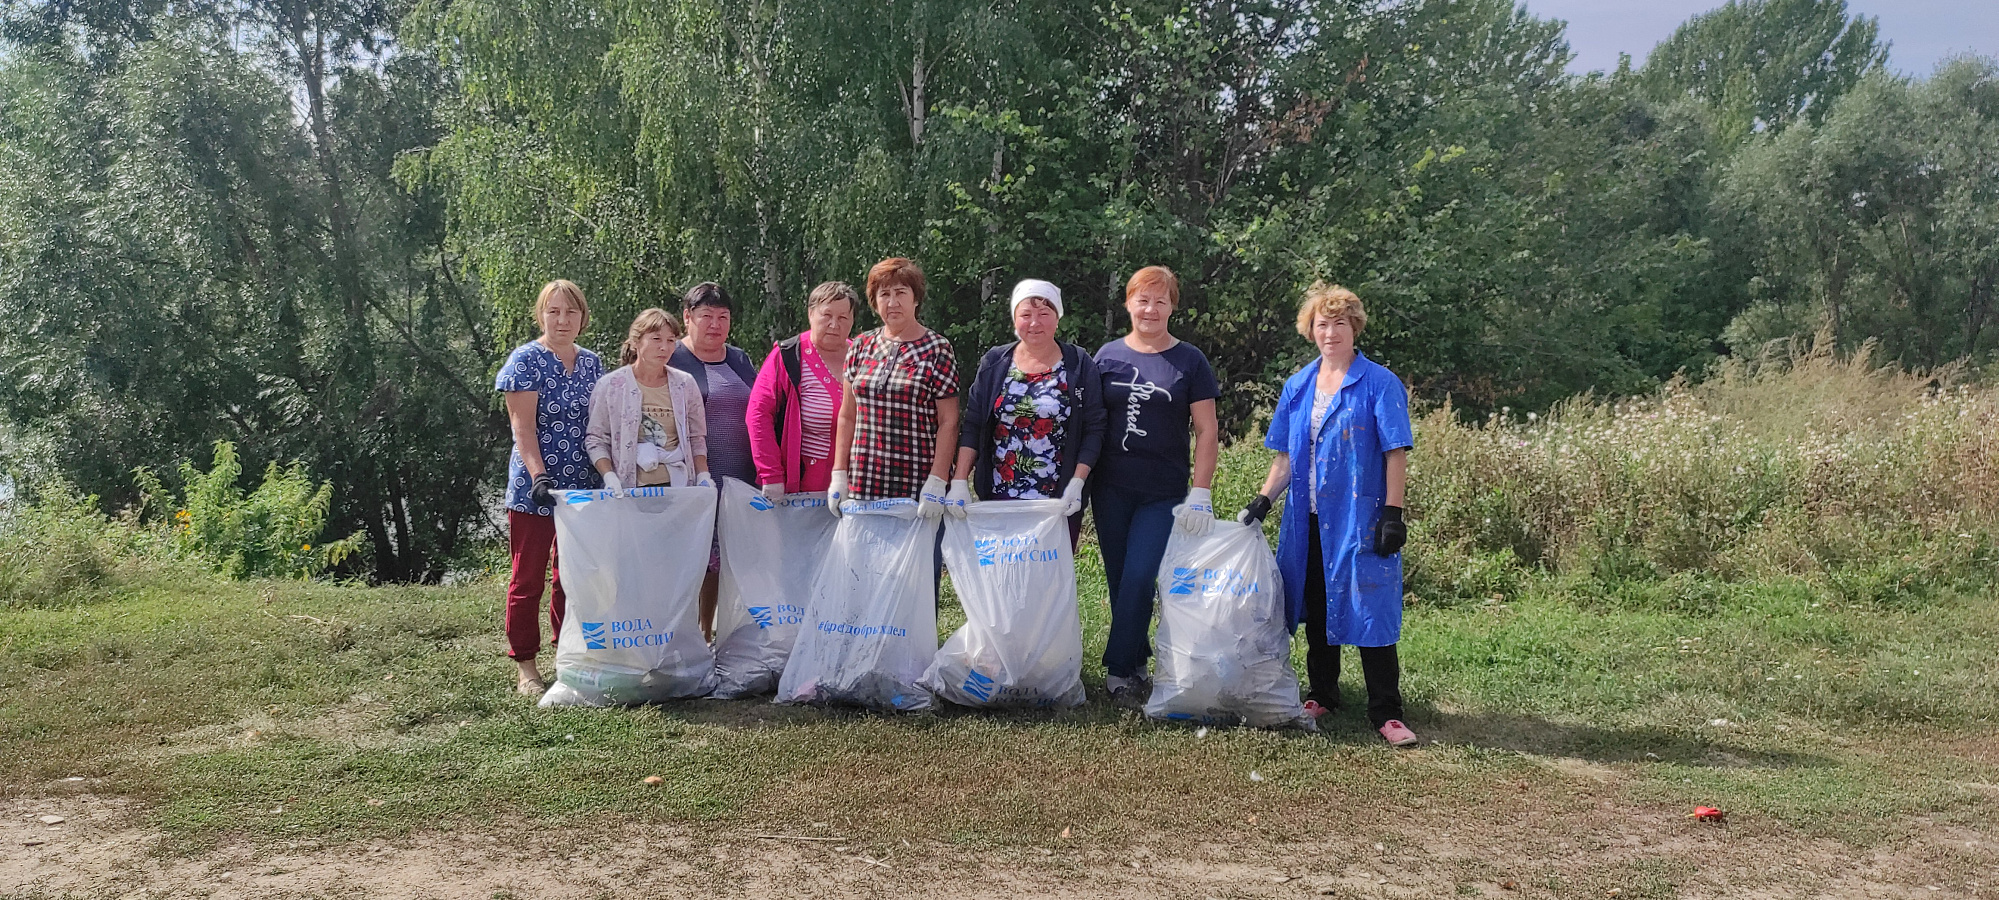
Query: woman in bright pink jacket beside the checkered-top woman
(797, 399)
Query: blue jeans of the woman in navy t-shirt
(1132, 533)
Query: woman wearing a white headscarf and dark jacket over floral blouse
(1036, 417)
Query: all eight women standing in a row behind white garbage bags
(1128, 431)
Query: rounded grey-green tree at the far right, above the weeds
(1882, 223)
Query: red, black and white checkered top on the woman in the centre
(897, 389)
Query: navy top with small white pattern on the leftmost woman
(561, 415)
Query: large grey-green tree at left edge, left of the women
(207, 265)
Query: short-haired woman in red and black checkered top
(899, 417)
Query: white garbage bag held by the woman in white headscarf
(1022, 643)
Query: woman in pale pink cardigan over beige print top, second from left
(647, 419)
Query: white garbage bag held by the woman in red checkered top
(873, 621)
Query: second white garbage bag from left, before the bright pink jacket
(771, 555)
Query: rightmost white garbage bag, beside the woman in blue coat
(1224, 653)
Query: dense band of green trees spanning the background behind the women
(313, 229)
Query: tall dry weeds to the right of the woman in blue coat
(1876, 483)
